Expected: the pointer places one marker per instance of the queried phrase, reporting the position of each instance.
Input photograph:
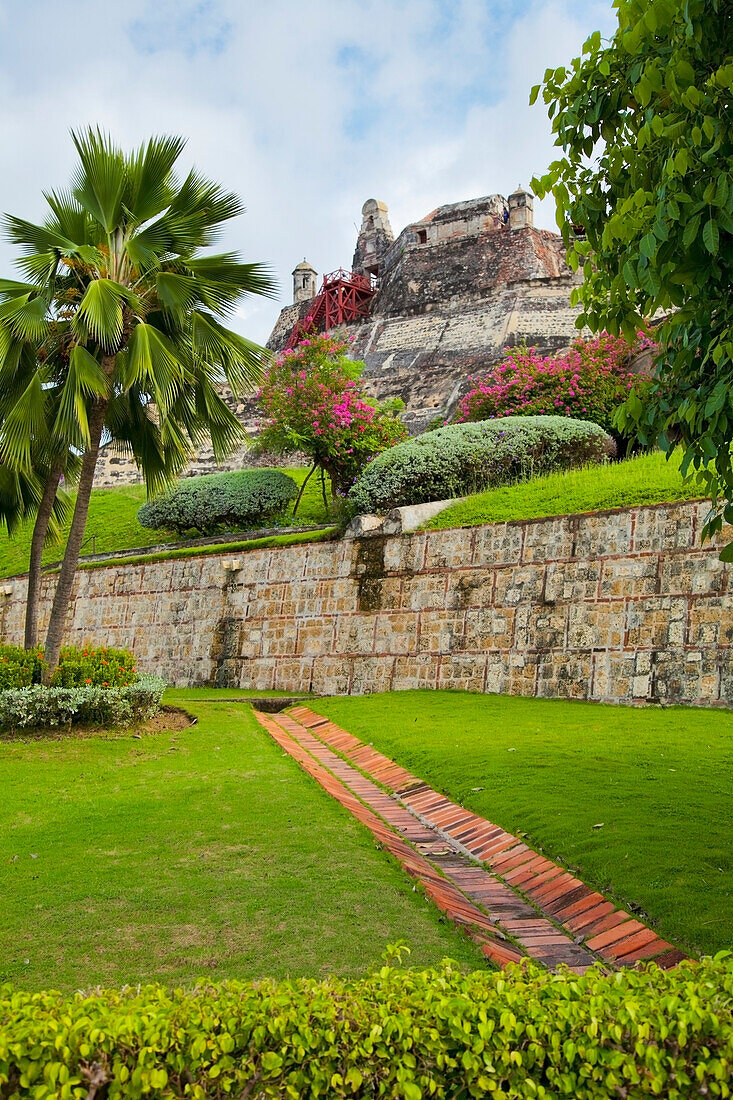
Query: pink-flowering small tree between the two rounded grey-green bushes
(312, 402)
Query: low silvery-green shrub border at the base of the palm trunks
(39, 708)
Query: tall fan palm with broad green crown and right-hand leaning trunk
(125, 317)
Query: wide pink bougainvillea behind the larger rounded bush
(590, 382)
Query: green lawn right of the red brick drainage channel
(659, 782)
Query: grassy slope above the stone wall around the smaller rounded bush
(113, 525)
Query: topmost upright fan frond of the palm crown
(99, 183)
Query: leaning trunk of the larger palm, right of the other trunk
(63, 596)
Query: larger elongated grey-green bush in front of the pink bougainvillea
(467, 458)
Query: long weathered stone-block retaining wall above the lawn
(621, 607)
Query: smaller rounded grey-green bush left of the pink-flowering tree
(221, 502)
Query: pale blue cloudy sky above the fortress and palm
(305, 109)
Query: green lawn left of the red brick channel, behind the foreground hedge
(204, 853)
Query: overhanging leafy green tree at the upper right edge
(646, 199)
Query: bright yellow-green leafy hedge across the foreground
(398, 1033)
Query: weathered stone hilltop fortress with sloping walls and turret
(453, 291)
